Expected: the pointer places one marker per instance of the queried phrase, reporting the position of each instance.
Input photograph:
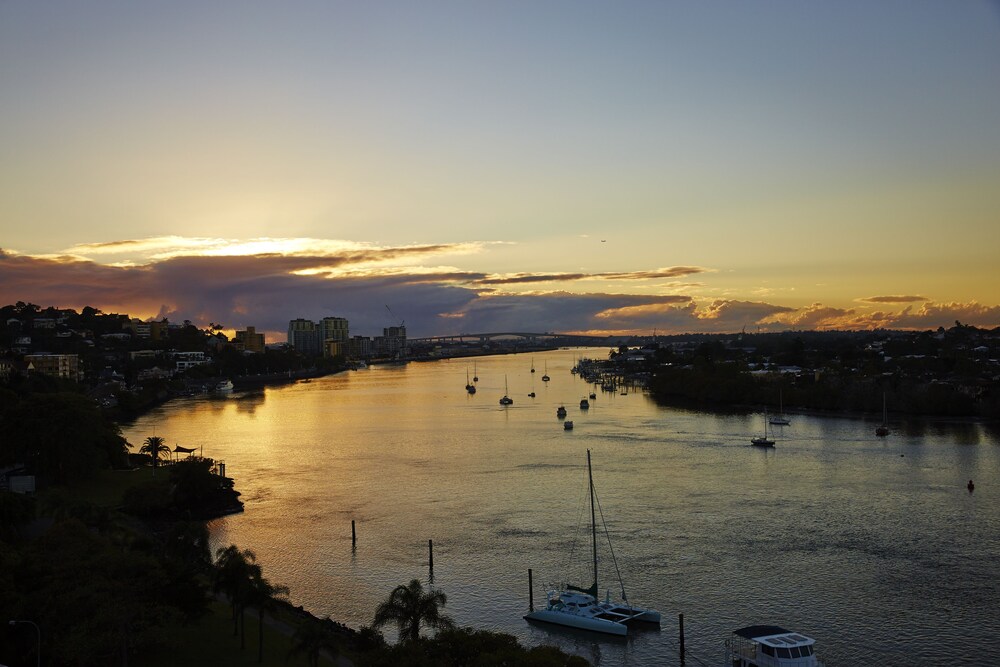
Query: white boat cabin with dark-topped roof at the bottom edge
(770, 646)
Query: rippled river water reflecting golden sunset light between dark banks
(873, 547)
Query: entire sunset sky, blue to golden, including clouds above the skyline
(468, 166)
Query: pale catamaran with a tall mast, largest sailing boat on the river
(579, 608)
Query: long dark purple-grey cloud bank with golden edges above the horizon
(262, 291)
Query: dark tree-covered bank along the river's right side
(945, 373)
